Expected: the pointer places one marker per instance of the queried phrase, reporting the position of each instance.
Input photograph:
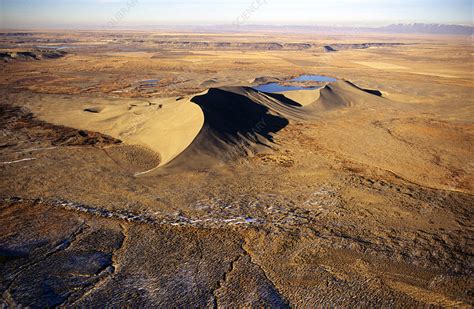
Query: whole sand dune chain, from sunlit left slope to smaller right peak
(215, 126)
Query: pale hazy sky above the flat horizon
(133, 13)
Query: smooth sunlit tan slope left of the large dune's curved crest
(166, 126)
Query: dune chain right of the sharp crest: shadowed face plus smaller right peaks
(239, 120)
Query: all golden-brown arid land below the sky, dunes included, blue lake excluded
(146, 169)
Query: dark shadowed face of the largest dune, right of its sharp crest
(237, 121)
